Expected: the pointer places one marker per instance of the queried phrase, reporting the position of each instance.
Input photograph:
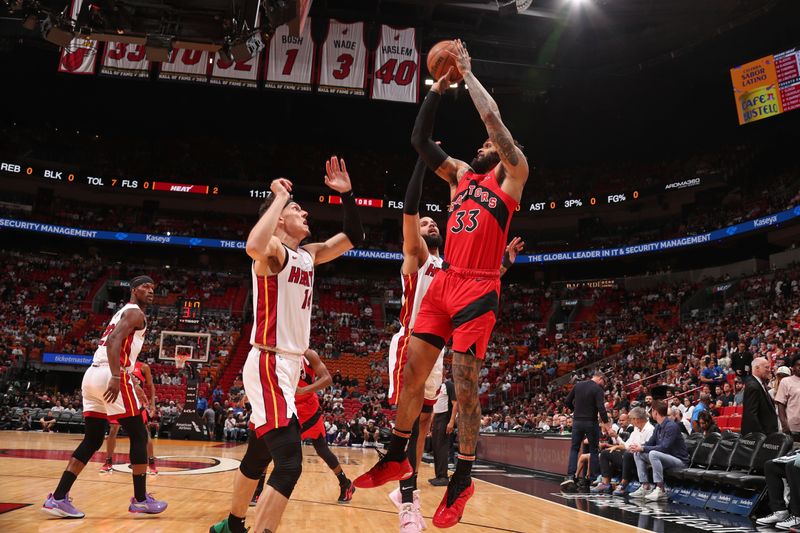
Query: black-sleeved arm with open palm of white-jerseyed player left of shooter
(337, 178)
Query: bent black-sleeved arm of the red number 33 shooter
(446, 167)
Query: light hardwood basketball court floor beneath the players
(31, 464)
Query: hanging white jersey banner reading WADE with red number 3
(343, 64)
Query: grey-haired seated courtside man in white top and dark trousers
(617, 459)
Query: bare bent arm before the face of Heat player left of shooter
(262, 244)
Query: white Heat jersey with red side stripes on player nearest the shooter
(282, 305)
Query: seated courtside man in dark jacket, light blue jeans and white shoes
(666, 449)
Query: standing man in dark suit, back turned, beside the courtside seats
(586, 402)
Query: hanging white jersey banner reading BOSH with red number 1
(290, 60)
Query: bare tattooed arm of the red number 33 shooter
(512, 157)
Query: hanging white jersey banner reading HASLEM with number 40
(396, 68)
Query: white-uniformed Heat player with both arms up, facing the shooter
(283, 277)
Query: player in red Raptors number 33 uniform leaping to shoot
(462, 301)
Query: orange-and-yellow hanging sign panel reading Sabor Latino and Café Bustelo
(755, 86)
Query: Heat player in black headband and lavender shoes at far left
(108, 393)
